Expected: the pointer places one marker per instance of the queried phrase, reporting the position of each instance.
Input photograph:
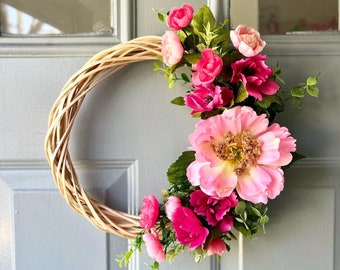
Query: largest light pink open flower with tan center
(237, 150)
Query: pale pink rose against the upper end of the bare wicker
(172, 49)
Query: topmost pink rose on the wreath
(180, 17)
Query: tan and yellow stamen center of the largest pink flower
(241, 150)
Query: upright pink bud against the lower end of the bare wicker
(149, 212)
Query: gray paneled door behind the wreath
(126, 135)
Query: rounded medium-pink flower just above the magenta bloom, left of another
(207, 68)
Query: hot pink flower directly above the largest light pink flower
(205, 99)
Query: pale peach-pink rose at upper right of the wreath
(247, 40)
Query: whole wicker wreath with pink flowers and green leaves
(238, 152)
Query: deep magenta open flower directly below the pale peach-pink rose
(254, 75)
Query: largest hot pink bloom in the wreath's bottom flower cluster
(188, 228)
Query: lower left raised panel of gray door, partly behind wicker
(46, 233)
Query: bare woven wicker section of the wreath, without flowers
(61, 120)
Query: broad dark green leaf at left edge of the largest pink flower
(177, 170)
